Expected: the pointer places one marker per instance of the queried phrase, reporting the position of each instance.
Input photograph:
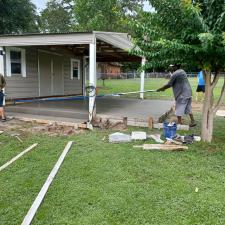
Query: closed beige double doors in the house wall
(50, 74)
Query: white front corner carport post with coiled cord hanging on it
(92, 79)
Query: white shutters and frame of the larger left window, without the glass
(8, 61)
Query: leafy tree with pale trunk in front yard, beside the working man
(187, 32)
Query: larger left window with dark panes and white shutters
(15, 62)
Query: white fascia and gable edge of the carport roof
(120, 40)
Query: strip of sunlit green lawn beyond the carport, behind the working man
(116, 86)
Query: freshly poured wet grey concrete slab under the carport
(112, 107)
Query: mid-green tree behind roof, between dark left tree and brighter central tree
(56, 17)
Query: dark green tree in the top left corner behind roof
(17, 16)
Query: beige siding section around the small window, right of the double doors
(71, 86)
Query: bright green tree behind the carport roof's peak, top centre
(107, 15)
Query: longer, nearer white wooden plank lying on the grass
(37, 202)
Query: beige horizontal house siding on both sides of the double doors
(28, 87)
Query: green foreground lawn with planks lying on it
(114, 184)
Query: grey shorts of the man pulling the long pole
(183, 106)
